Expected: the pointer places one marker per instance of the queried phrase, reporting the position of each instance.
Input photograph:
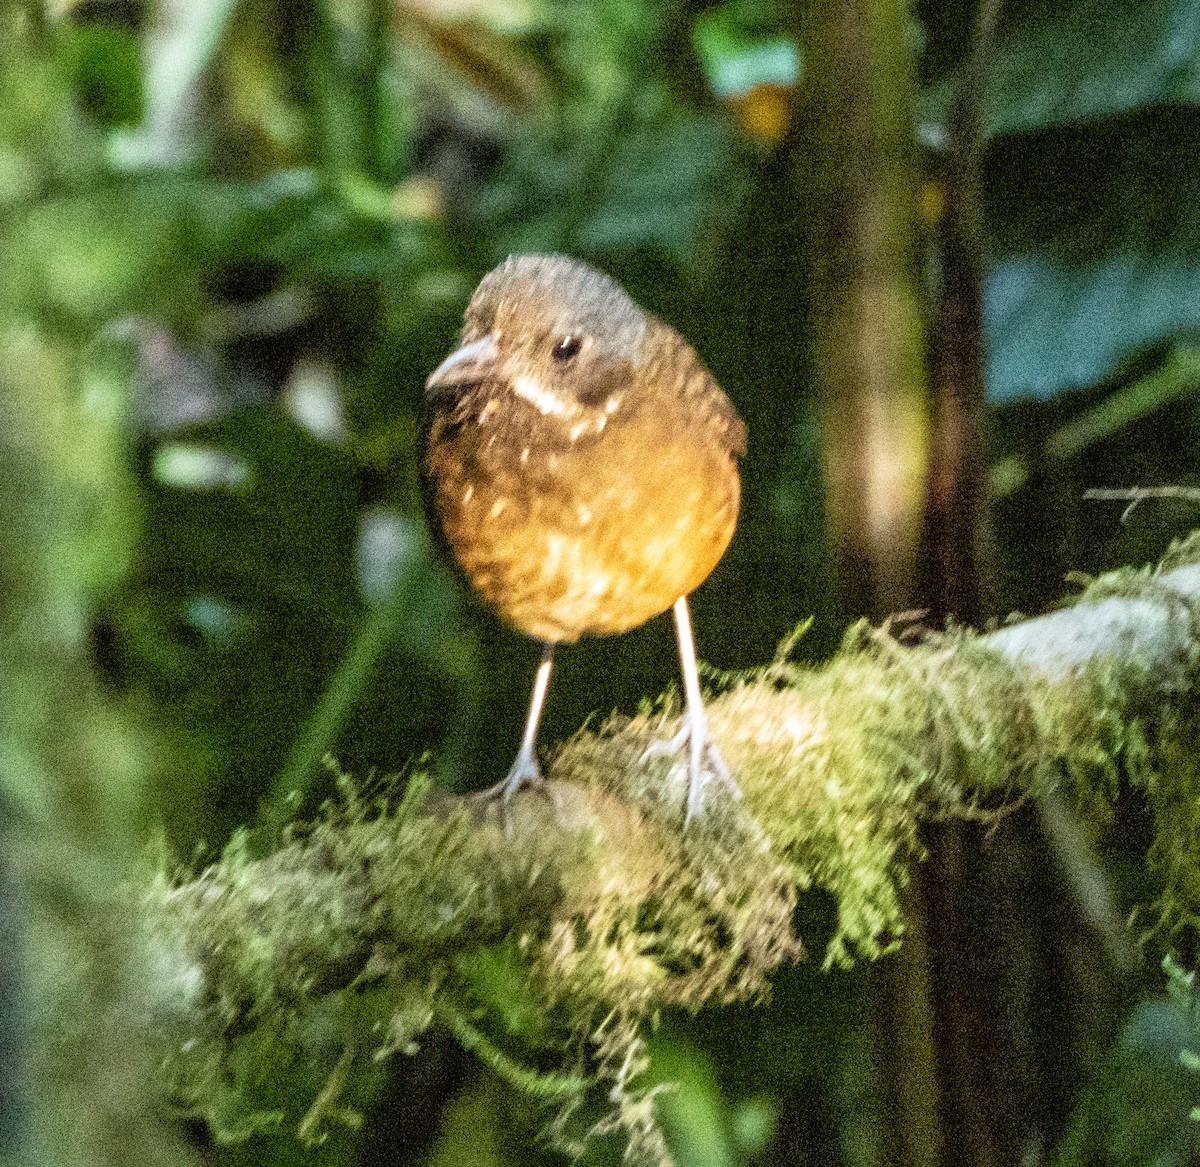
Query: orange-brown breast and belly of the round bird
(591, 538)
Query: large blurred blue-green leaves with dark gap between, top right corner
(1091, 194)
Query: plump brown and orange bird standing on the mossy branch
(580, 465)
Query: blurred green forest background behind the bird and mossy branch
(945, 260)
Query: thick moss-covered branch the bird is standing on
(593, 901)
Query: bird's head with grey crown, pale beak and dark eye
(554, 332)
